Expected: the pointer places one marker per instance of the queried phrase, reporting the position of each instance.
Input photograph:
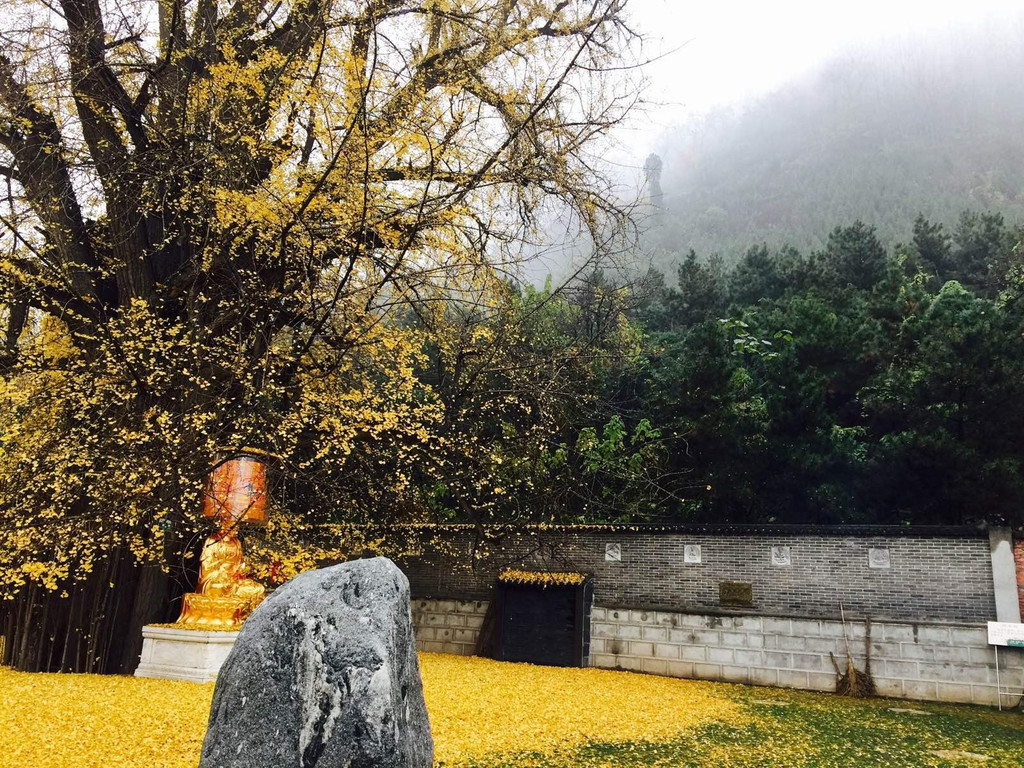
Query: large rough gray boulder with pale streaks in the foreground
(324, 674)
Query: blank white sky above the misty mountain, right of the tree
(734, 51)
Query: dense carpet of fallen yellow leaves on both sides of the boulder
(478, 708)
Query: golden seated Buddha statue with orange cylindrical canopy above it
(236, 493)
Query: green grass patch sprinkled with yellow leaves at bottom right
(808, 730)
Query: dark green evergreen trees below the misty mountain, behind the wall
(854, 385)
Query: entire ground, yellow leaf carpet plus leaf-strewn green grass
(488, 714)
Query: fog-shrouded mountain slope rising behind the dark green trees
(932, 126)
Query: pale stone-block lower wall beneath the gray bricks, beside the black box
(917, 661)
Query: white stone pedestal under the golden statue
(195, 656)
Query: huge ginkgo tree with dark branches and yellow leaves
(216, 216)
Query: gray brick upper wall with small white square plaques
(935, 578)
